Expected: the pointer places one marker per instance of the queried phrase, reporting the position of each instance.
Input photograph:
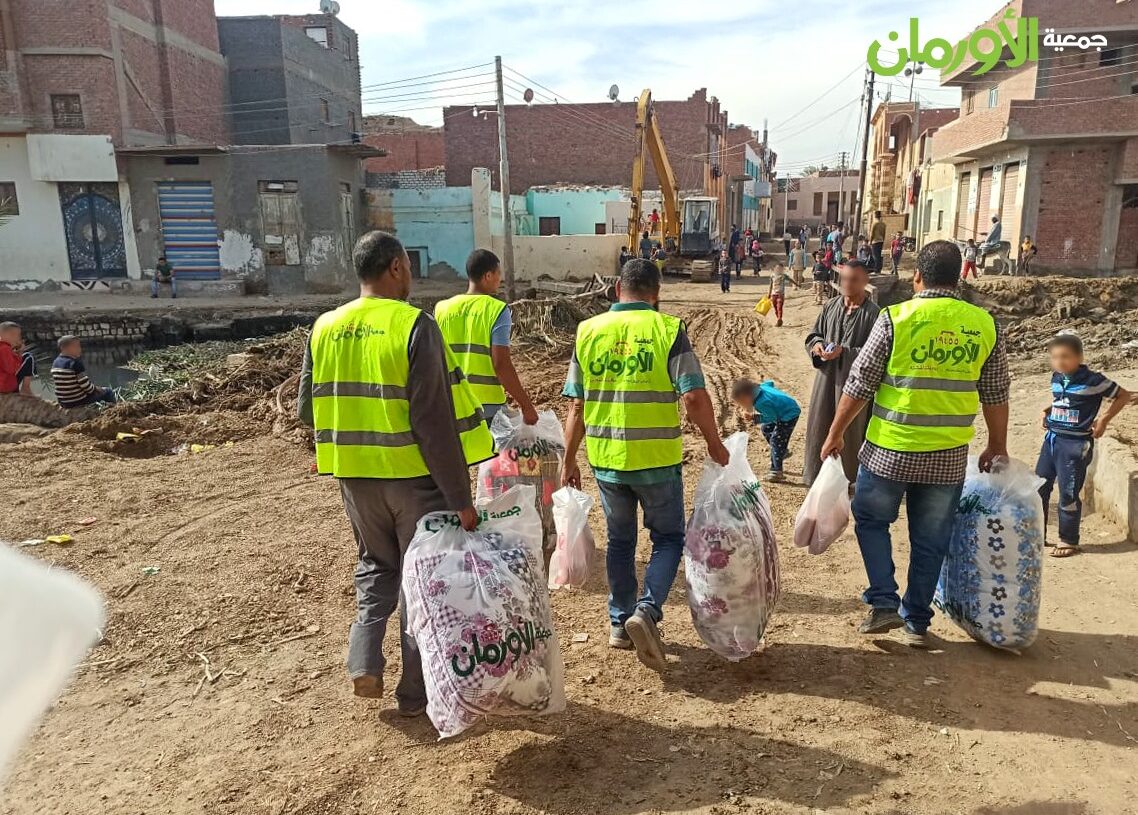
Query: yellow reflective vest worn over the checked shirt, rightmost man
(928, 399)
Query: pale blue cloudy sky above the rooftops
(763, 59)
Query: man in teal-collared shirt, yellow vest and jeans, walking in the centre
(631, 368)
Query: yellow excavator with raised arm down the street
(695, 234)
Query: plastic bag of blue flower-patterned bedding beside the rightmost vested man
(992, 581)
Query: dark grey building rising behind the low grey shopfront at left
(293, 80)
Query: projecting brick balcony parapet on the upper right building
(1028, 121)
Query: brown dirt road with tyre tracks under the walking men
(255, 563)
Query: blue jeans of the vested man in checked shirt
(933, 508)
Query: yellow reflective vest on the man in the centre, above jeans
(632, 421)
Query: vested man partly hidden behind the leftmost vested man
(477, 328)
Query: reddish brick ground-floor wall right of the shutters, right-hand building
(1073, 202)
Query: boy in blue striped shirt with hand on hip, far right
(1073, 424)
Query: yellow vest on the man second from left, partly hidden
(467, 323)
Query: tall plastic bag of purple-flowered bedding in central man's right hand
(731, 559)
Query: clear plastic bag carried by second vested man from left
(530, 455)
